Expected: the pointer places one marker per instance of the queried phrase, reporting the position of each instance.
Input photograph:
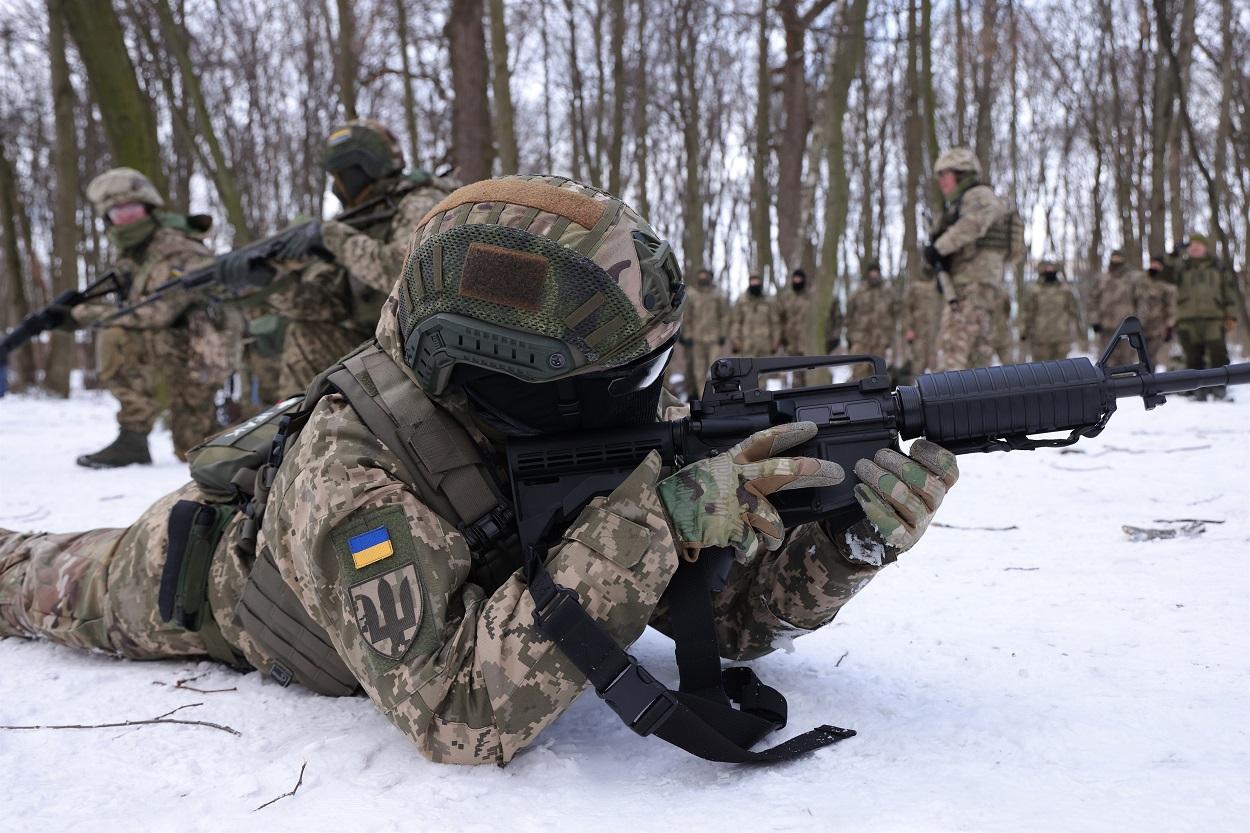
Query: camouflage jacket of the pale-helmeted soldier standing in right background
(962, 233)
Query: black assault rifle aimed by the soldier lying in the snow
(983, 410)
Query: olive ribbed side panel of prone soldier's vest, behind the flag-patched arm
(301, 651)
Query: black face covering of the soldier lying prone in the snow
(616, 398)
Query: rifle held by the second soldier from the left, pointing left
(254, 260)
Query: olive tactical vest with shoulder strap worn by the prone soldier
(438, 461)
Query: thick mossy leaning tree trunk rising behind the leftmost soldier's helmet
(126, 109)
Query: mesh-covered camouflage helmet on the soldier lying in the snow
(539, 278)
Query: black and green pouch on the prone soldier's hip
(194, 532)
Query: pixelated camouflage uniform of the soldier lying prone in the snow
(477, 685)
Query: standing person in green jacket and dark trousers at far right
(1204, 307)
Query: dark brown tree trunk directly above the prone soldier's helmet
(471, 104)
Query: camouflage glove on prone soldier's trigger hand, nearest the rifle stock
(723, 501)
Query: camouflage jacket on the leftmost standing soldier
(167, 253)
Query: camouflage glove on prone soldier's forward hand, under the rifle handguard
(899, 496)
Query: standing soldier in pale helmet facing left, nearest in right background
(969, 246)
